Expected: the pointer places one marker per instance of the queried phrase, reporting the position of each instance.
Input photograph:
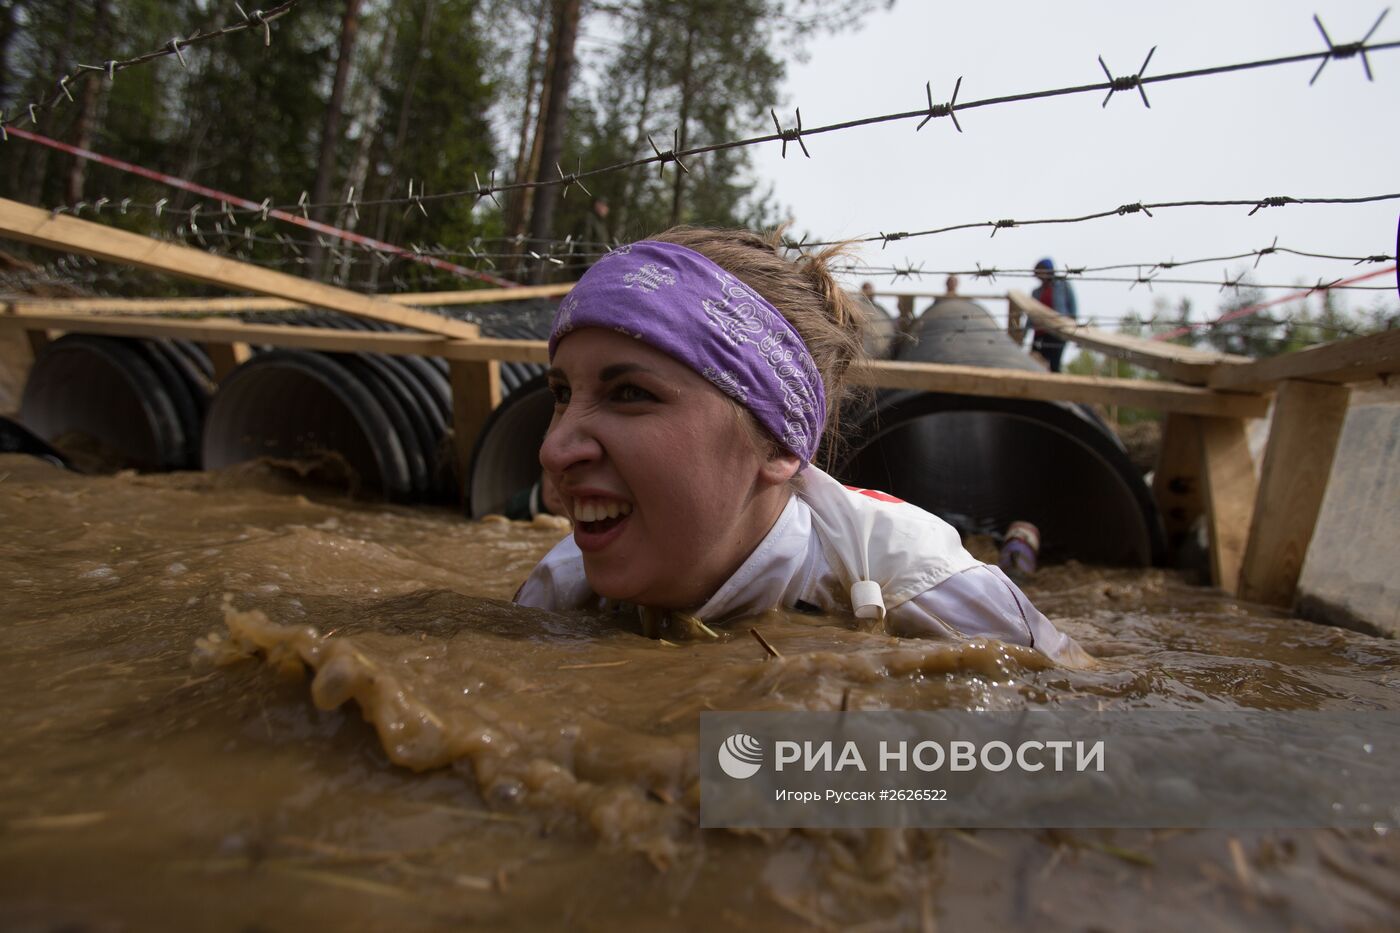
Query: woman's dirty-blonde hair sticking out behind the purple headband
(806, 292)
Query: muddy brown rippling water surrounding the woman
(167, 761)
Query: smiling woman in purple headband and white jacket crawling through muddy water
(695, 378)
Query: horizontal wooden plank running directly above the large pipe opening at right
(974, 380)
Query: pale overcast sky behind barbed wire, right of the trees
(1245, 135)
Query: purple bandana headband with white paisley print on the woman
(688, 307)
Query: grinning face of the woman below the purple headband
(661, 478)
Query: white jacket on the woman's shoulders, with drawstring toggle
(846, 550)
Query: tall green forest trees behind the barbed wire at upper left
(425, 82)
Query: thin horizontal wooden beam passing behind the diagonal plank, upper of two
(233, 306)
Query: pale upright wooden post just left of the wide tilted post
(1230, 495)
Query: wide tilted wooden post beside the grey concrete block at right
(1303, 441)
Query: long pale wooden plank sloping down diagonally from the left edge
(30, 225)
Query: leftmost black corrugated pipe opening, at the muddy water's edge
(120, 403)
